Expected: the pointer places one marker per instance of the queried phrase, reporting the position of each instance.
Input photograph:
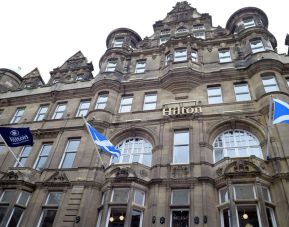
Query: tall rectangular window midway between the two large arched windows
(181, 147)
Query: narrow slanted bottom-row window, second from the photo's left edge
(18, 210)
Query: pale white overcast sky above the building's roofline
(45, 34)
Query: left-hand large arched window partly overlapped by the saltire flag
(134, 149)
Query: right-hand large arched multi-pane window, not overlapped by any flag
(236, 143)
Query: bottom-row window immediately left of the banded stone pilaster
(49, 209)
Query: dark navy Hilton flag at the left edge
(15, 137)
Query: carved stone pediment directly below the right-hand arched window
(239, 167)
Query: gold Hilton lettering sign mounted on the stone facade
(183, 108)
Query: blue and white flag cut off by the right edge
(281, 112)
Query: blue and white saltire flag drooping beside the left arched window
(102, 142)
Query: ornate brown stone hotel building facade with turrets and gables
(187, 107)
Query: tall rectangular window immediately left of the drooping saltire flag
(70, 153)
